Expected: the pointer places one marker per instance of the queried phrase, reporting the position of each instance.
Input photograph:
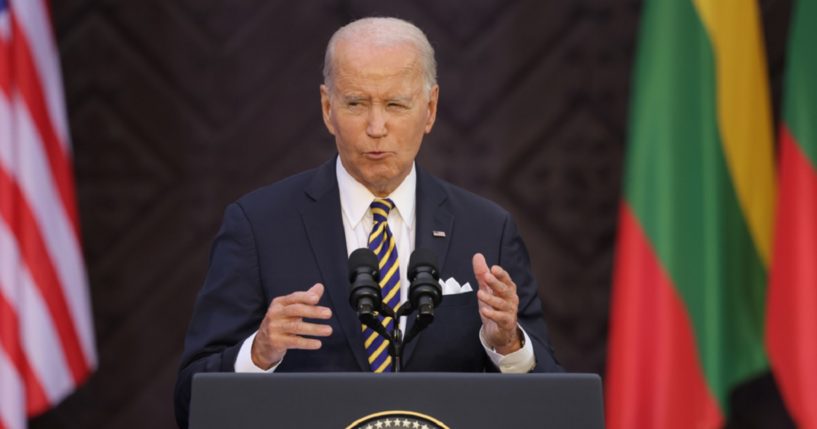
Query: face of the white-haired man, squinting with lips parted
(378, 110)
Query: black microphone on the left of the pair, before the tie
(364, 275)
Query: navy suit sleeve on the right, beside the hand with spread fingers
(514, 259)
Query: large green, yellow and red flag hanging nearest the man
(696, 219)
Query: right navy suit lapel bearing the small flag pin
(435, 224)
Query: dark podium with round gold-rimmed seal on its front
(402, 400)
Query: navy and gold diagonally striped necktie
(381, 242)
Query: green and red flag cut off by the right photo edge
(791, 333)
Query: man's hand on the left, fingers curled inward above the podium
(284, 328)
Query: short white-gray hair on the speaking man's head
(383, 31)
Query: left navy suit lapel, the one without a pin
(324, 227)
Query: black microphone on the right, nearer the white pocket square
(425, 291)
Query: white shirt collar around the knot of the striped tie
(355, 198)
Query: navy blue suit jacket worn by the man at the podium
(289, 235)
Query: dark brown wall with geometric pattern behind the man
(178, 107)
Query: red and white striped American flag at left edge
(46, 332)
